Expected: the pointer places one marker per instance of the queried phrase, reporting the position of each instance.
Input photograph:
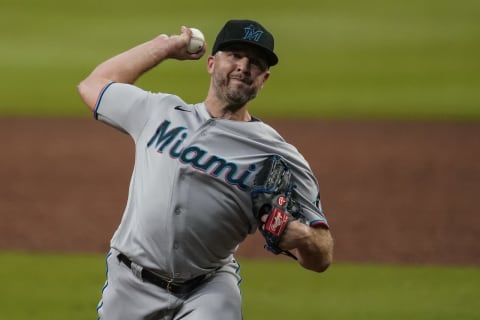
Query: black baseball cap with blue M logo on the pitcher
(248, 32)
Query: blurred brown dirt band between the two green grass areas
(394, 192)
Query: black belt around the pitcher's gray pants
(169, 285)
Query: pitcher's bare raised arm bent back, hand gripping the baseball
(128, 66)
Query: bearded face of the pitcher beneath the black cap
(238, 73)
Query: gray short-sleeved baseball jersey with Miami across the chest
(189, 204)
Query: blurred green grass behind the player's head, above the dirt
(342, 59)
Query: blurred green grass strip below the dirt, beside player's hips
(51, 287)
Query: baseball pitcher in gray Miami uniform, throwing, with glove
(190, 197)
